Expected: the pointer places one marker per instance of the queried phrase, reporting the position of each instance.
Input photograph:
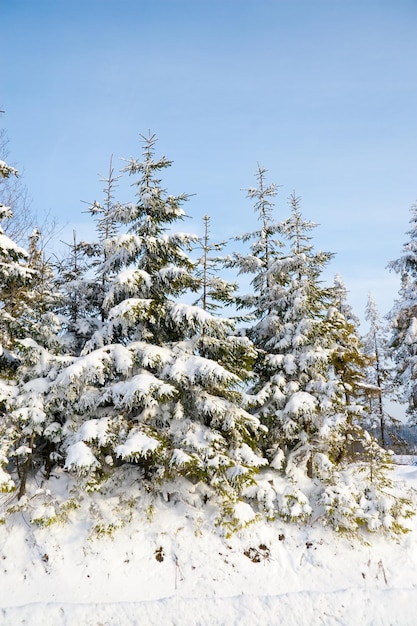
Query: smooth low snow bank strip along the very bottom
(346, 607)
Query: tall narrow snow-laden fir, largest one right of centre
(303, 404)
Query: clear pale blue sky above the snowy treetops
(323, 93)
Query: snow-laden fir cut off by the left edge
(29, 330)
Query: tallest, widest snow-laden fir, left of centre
(154, 389)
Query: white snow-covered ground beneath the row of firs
(174, 570)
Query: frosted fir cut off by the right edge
(403, 320)
